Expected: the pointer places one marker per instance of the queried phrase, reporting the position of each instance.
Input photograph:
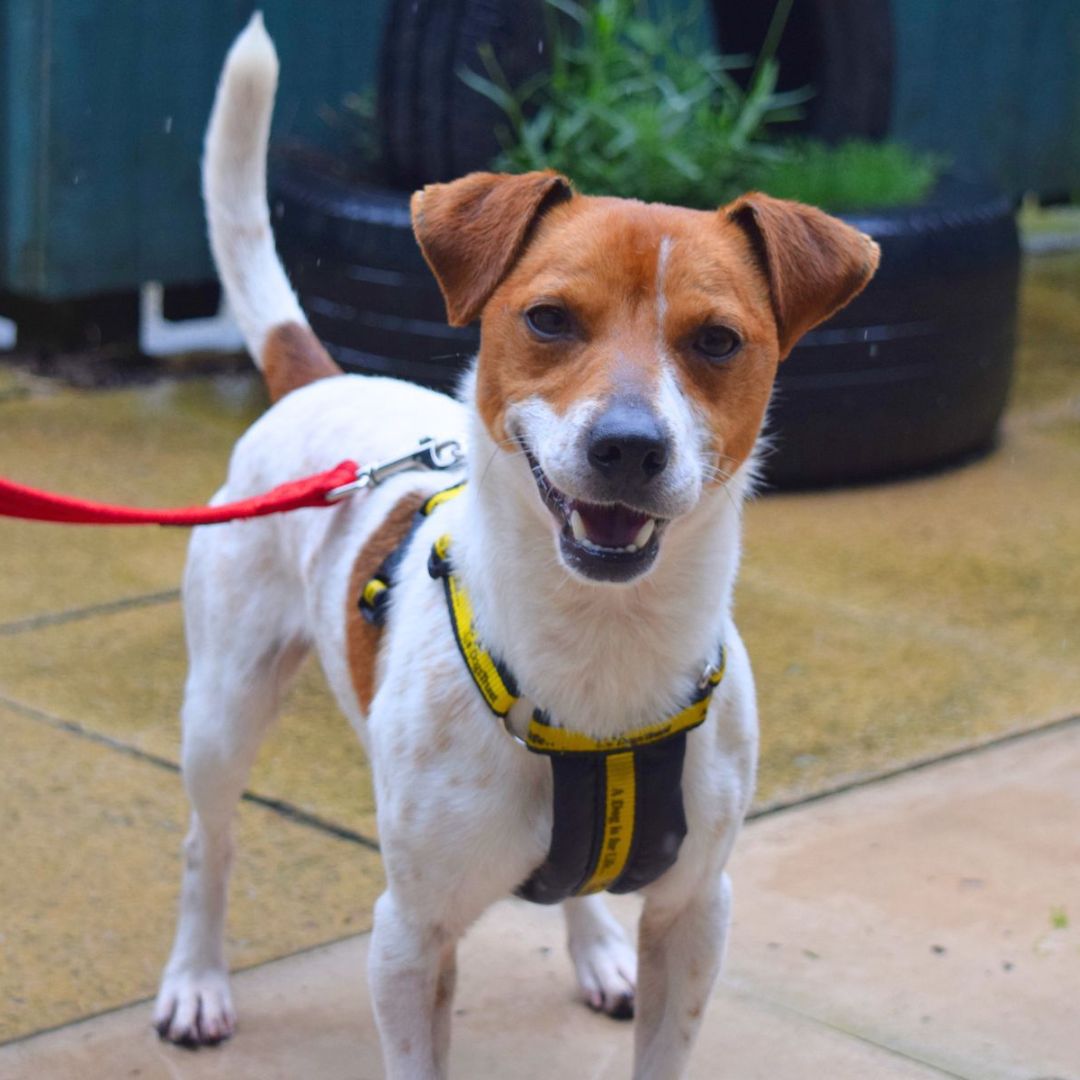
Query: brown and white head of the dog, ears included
(628, 350)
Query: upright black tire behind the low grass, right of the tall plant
(842, 48)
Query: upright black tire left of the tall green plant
(435, 127)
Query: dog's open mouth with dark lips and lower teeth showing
(603, 542)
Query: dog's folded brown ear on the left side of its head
(472, 231)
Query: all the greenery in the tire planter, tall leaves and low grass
(637, 109)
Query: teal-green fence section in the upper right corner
(995, 87)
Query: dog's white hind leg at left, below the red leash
(242, 654)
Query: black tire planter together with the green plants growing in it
(914, 374)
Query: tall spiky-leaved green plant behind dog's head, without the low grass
(629, 106)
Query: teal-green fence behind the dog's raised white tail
(104, 109)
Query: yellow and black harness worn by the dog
(618, 817)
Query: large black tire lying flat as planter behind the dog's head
(914, 374)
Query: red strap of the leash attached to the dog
(20, 502)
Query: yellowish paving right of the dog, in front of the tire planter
(894, 623)
